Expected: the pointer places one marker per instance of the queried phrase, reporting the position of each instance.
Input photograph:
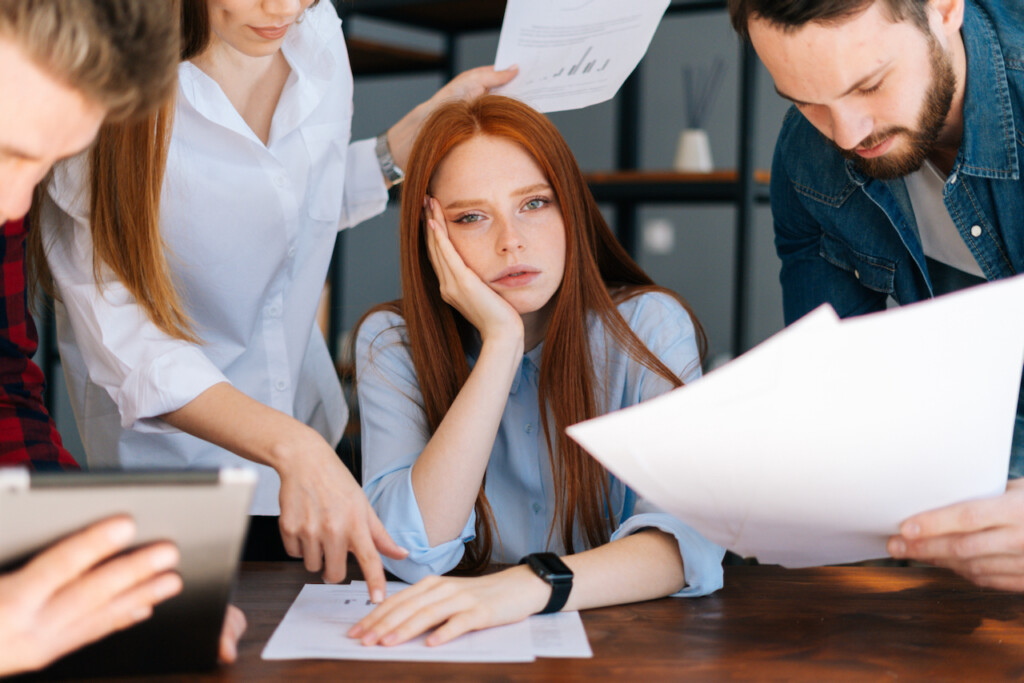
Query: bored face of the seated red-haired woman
(504, 221)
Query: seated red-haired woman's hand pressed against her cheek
(461, 288)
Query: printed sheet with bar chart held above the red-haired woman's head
(574, 54)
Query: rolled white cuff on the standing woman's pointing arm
(167, 383)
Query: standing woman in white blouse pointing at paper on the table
(187, 314)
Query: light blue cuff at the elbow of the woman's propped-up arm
(396, 503)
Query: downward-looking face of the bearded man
(880, 91)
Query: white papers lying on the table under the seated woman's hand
(316, 625)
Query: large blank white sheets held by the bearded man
(813, 448)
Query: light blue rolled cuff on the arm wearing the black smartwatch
(702, 559)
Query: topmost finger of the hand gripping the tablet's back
(75, 556)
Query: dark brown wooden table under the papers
(831, 624)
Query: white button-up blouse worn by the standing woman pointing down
(250, 231)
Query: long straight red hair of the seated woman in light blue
(599, 275)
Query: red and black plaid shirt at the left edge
(28, 436)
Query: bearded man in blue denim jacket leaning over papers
(898, 177)
